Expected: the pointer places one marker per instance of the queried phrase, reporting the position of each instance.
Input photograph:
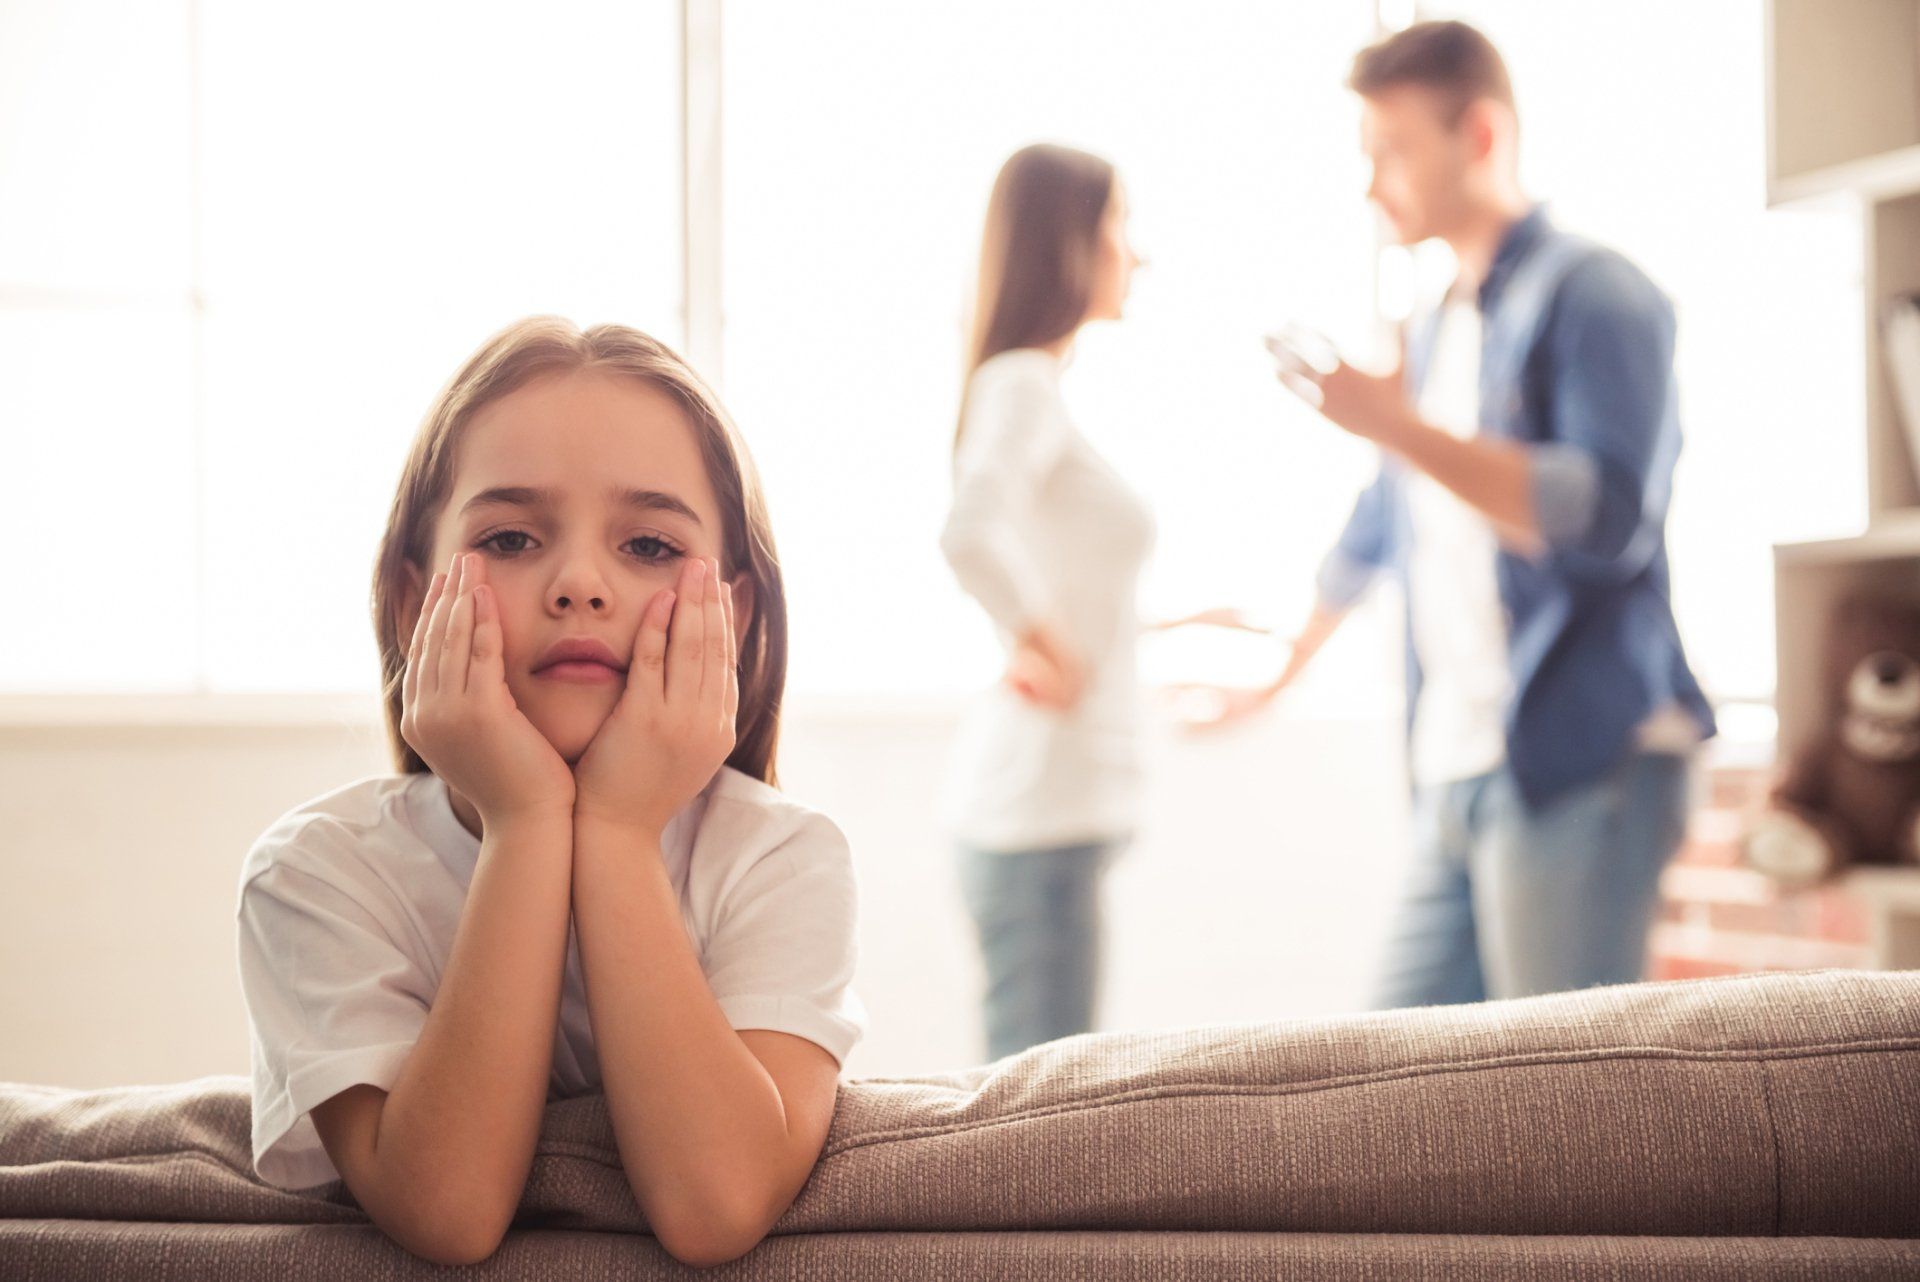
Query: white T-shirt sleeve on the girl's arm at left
(333, 1003)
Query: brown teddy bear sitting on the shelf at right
(1854, 795)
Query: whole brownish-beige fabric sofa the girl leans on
(1760, 1128)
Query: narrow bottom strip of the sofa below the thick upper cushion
(68, 1250)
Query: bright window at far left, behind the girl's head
(241, 249)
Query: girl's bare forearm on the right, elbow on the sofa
(700, 1122)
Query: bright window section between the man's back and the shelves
(1644, 126)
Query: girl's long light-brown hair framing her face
(514, 358)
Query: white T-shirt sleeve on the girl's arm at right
(782, 953)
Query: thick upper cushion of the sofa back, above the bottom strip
(1752, 1106)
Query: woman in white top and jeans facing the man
(1049, 540)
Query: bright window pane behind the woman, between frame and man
(859, 156)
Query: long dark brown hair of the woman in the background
(1038, 254)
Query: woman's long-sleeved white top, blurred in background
(1044, 531)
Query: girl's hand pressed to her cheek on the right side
(673, 728)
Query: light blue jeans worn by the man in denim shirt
(1504, 901)
